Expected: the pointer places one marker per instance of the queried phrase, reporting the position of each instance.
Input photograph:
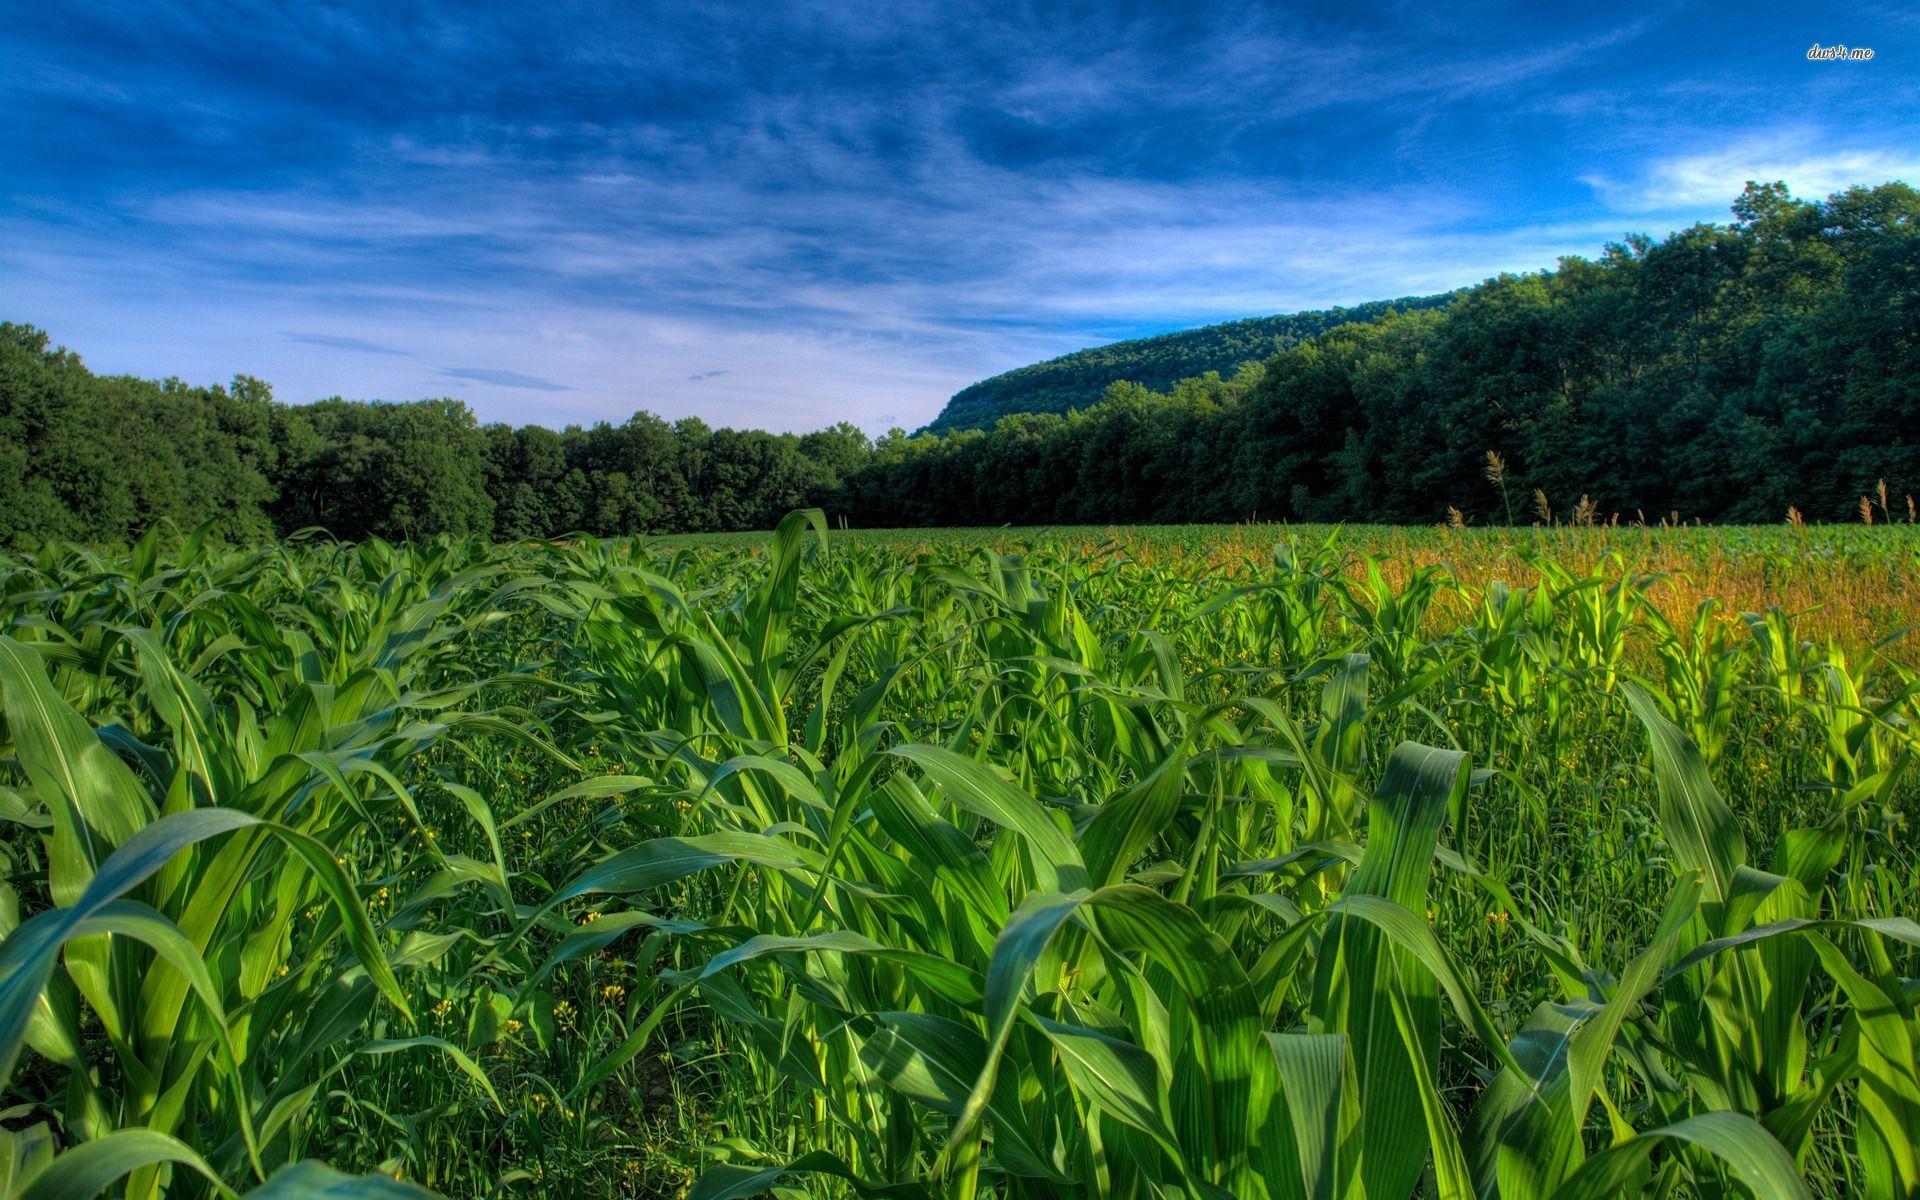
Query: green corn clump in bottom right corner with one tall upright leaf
(1729, 967)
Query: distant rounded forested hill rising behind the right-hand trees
(1080, 379)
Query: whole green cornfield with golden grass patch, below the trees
(988, 863)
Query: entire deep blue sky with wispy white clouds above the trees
(788, 214)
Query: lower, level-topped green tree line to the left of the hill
(105, 458)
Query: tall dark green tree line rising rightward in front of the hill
(1725, 373)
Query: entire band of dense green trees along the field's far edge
(1725, 373)
